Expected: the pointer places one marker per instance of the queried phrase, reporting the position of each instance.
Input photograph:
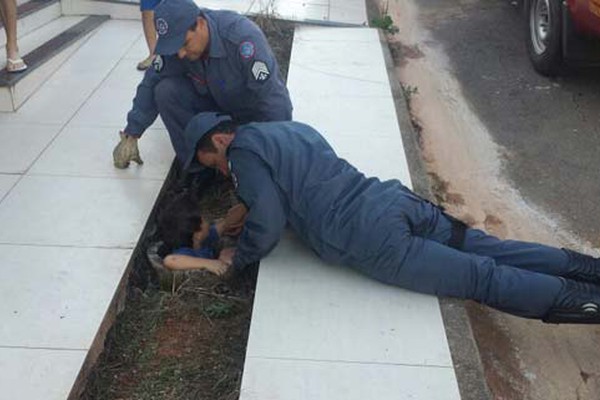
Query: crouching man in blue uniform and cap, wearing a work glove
(206, 61)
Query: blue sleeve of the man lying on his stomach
(266, 216)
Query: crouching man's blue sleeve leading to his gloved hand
(144, 110)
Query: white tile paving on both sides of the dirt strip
(69, 222)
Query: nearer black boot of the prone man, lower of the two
(576, 303)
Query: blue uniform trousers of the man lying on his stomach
(517, 277)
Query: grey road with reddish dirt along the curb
(470, 81)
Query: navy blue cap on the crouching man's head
(172, 19)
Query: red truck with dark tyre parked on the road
(562, 30)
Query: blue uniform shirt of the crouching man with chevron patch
(240, 74)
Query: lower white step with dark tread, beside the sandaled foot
(43, 56)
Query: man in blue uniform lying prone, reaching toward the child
(286, 173)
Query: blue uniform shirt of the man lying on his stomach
(286, 172)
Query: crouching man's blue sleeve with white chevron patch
(263, 78)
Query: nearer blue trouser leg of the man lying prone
(427, 266)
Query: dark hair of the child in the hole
(179, 220)
